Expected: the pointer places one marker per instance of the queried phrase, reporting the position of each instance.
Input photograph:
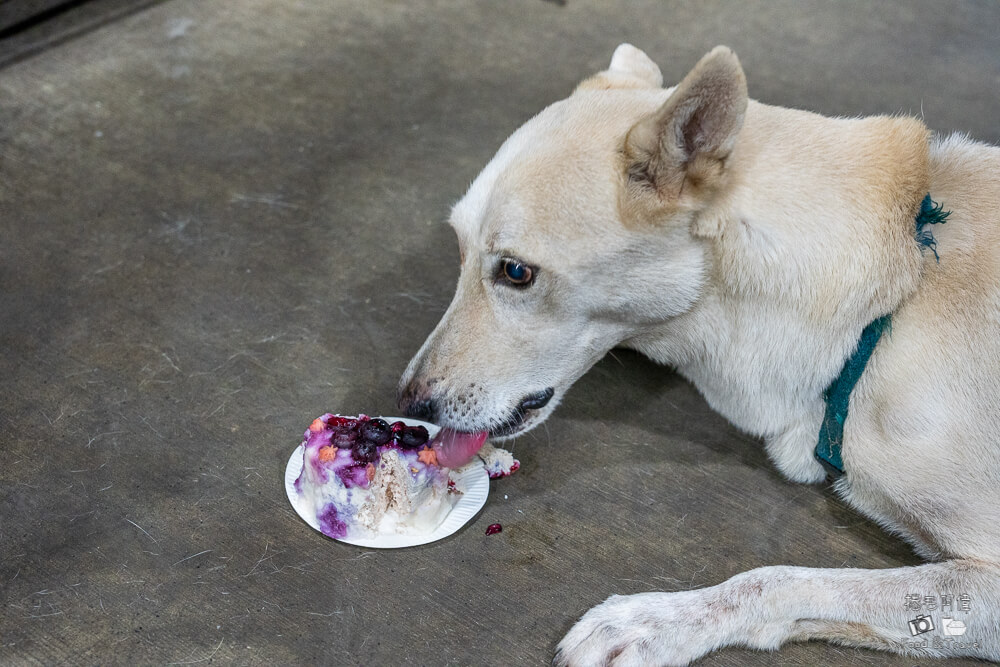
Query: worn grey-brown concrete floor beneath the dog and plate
(220, 220)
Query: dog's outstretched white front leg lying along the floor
(769, 606)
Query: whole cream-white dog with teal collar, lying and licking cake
(750, 247)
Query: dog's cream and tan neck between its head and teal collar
(811, 239)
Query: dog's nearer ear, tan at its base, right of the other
(687, 140)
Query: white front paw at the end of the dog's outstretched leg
(644, 629)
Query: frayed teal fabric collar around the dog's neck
(838, 394)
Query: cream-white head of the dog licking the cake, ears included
(577, 236)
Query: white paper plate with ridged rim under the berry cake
(471, 478)
